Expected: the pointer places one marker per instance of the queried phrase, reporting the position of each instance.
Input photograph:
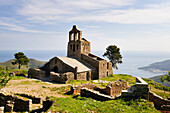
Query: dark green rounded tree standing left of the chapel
(20, 59)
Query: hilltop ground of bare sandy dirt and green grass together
(70, 103)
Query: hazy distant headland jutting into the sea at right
(163, 66)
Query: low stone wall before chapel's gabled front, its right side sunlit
(62, 77)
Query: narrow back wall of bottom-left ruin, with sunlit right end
(35, 100)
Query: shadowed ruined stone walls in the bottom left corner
(22, 103)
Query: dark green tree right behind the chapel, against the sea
(113, 54)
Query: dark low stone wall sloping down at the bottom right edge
(159, 102)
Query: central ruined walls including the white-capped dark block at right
(113, 90)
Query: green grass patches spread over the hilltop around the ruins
(74, 104)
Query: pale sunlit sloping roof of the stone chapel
(74, 62)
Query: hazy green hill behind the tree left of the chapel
(32, 63)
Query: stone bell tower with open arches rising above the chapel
(77, 45)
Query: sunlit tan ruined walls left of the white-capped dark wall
(112, 90)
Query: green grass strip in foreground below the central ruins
(85, 105)
